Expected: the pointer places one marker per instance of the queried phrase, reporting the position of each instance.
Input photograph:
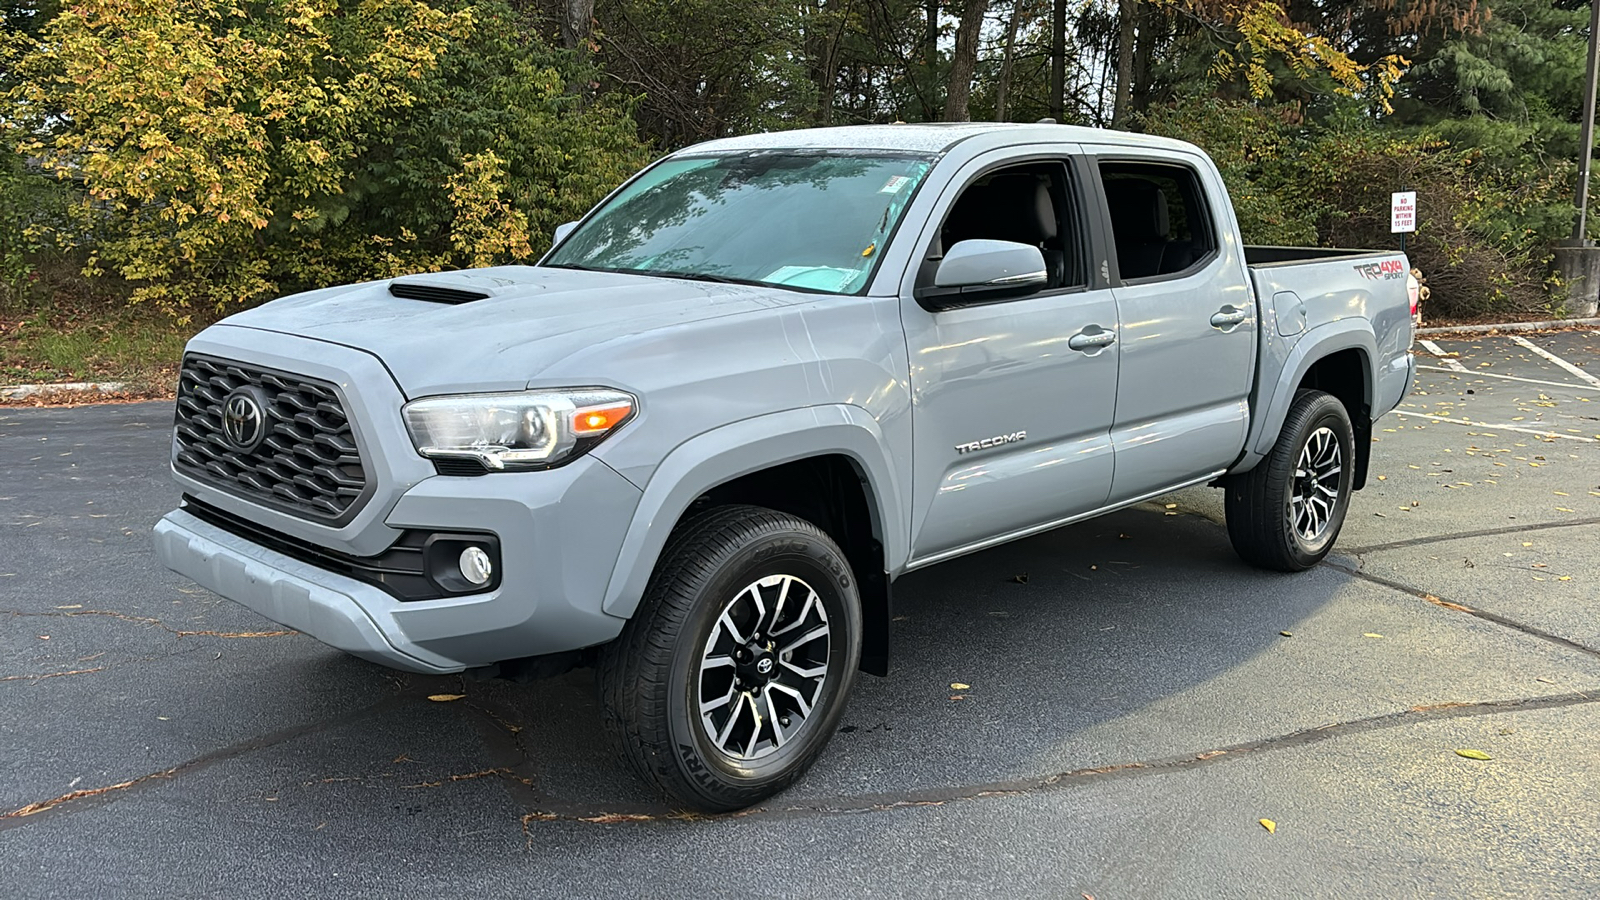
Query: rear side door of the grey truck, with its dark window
(1188, 329)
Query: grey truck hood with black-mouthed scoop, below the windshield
(530, 321)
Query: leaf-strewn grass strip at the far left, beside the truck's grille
(92, 344)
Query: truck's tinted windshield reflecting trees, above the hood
(793, 219)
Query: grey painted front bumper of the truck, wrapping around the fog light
(561, 532)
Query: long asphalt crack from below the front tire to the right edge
(1039, 784)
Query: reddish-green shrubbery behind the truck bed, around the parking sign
(1484, 230)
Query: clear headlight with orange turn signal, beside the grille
(527, 430)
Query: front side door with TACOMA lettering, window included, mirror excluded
(1012, 396)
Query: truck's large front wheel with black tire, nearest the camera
(671, 656)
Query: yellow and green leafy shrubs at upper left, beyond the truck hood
(223, 155)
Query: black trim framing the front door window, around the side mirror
(1078, 209)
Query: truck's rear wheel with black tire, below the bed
(1268, 515)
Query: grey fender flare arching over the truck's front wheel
(740, 449)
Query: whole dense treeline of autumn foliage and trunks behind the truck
(201, 155)
